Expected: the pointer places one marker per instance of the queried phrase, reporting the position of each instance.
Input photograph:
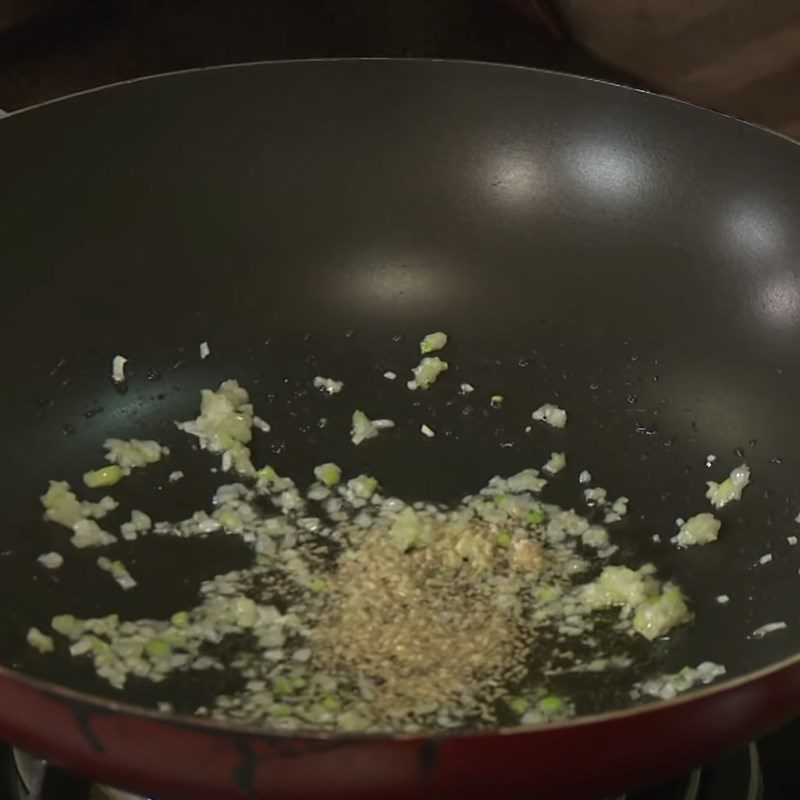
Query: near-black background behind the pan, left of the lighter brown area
(87, 43)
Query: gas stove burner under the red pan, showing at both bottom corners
(735, 777)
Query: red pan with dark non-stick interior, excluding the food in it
(633, 258)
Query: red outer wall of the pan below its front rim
(190, 760)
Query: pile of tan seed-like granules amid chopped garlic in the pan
(419, 626)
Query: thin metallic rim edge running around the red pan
(66, 693)
